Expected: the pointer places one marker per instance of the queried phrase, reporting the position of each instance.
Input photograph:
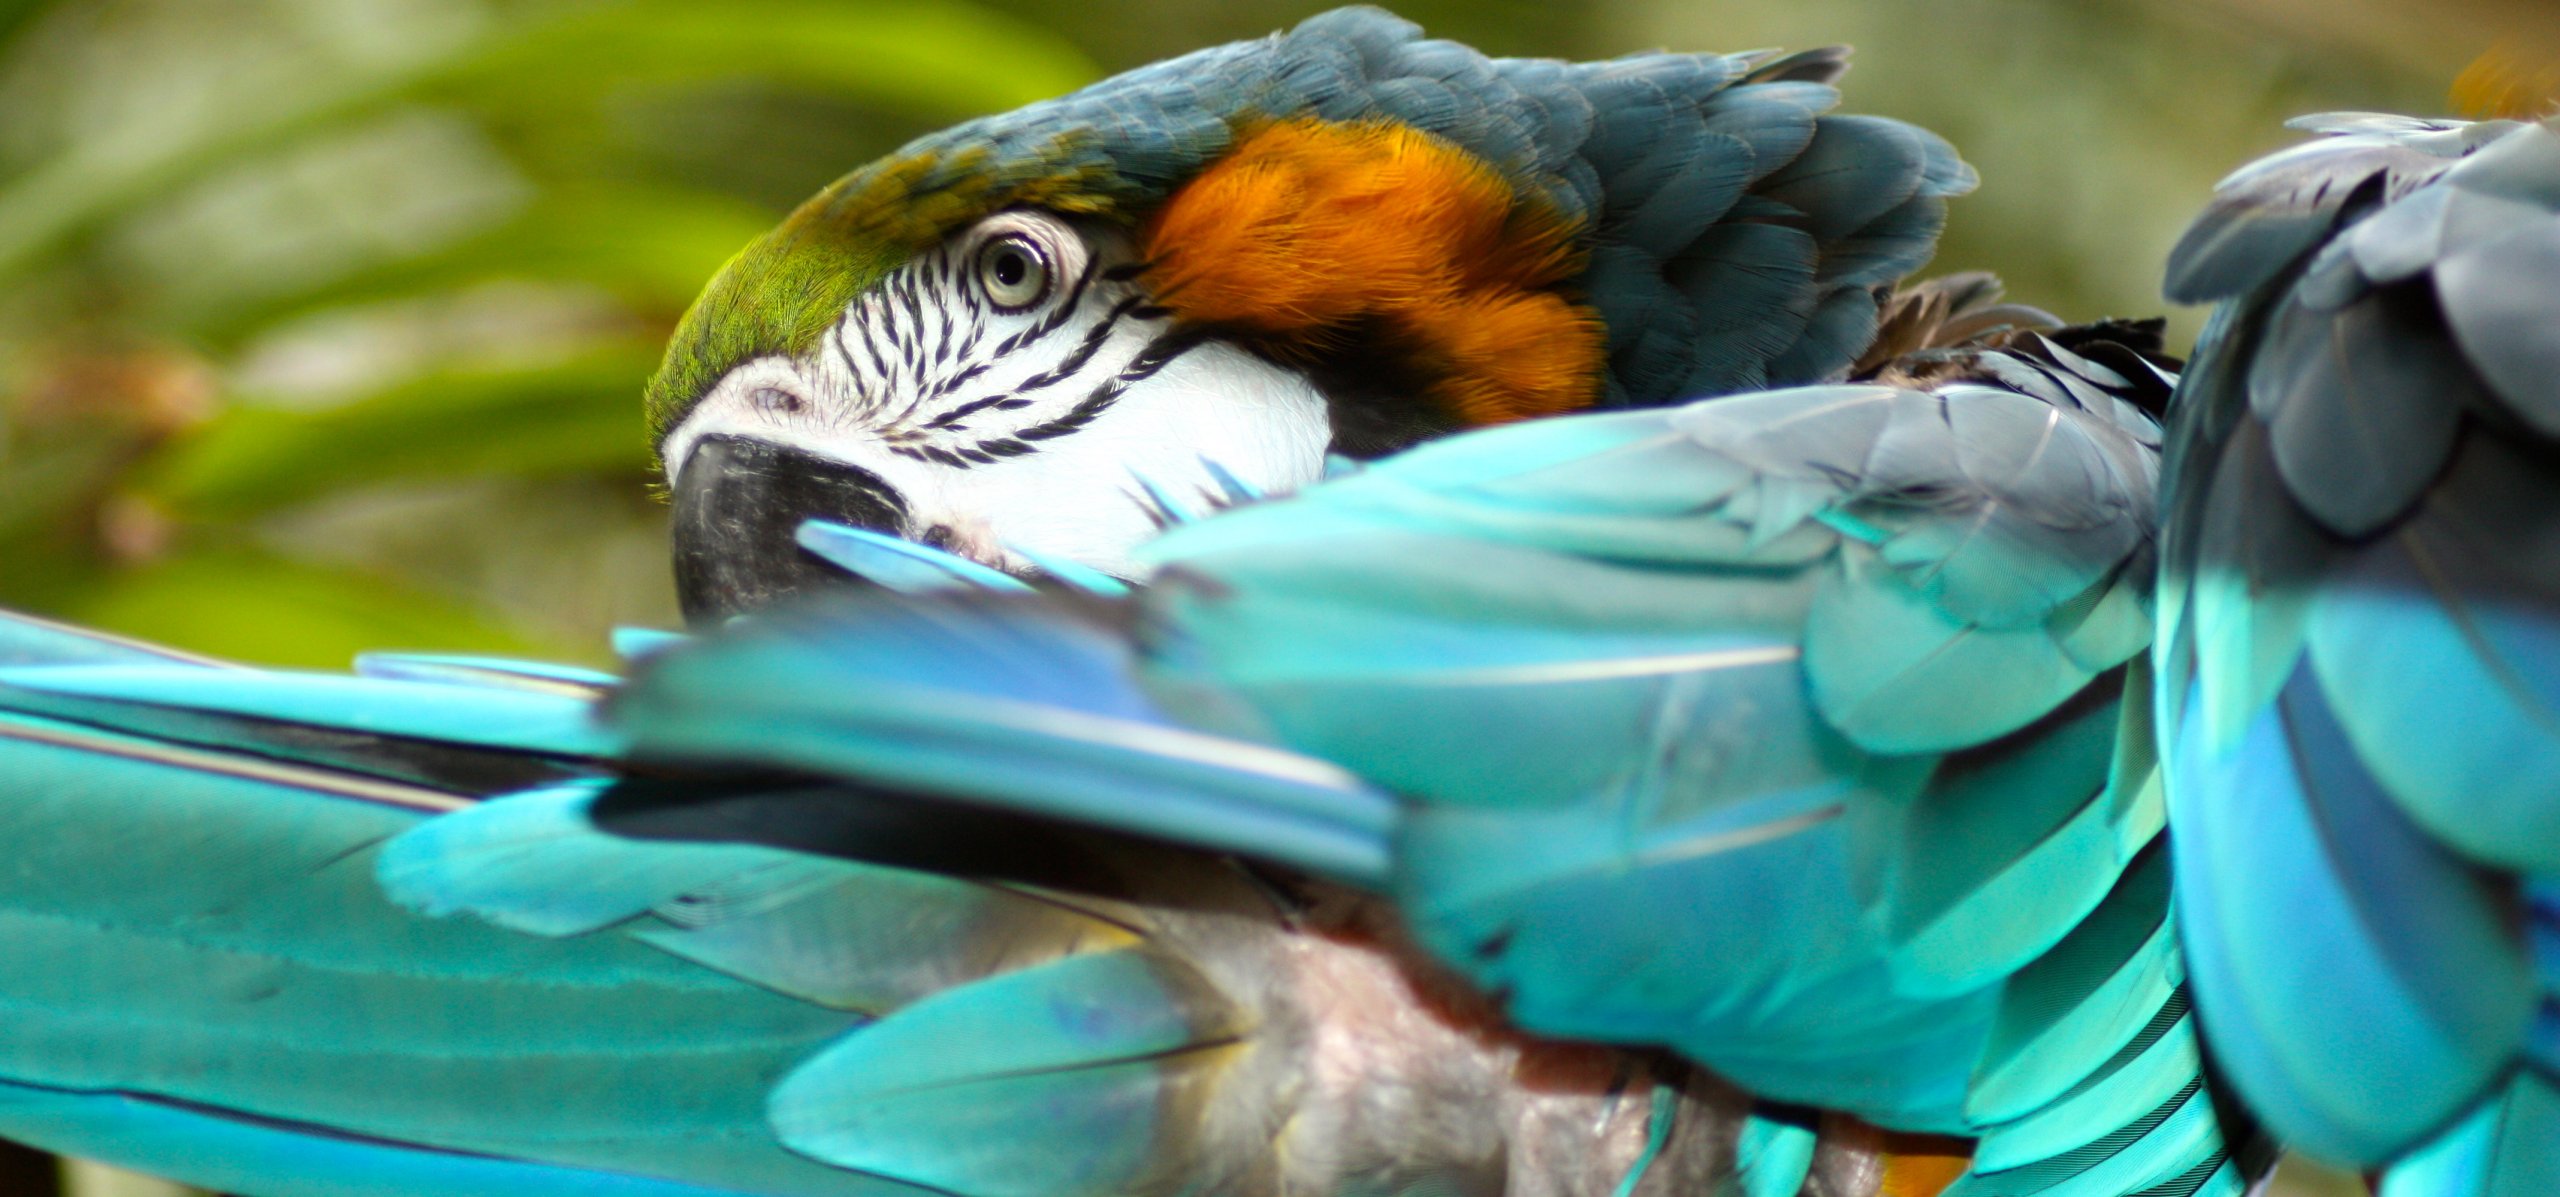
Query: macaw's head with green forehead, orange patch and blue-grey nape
(1220, 270)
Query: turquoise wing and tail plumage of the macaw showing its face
(1588, 656)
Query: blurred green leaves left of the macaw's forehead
(324, 321)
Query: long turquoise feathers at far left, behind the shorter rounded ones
(204, 971)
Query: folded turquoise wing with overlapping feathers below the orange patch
(1642, 577)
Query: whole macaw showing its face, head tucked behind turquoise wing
(1711, 779)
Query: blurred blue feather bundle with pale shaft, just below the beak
(1020, 705)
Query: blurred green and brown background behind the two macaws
(324, 321)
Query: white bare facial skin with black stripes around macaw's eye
(1015, 385)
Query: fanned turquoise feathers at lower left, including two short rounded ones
(211, 971)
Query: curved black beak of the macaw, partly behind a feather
(739, 510)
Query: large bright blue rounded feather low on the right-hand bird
(2413, 948)
